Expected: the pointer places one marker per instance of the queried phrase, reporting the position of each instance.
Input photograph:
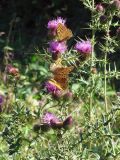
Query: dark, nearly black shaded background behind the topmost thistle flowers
(29, 20)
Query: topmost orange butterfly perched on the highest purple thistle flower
(63, 33)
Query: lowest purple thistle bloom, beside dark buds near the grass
(49, 118)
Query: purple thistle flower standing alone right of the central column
(84, 47)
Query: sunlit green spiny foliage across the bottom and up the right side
(95, 106)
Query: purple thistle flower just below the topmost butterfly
(56, 47)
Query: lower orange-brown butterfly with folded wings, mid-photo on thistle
(61, 76)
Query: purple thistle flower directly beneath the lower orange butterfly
(51, 88)
